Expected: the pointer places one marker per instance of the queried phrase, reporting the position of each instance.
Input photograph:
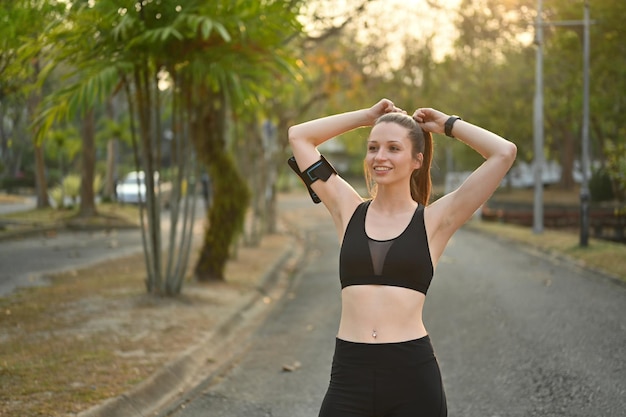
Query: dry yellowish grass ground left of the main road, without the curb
(94, 333)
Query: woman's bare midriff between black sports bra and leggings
(381, 314)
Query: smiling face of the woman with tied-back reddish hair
(390, 154)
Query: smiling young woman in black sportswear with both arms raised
(384, 364)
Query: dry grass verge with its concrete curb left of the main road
(166, 346)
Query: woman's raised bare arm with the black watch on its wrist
(451, 211)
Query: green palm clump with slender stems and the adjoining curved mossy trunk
(212, 57)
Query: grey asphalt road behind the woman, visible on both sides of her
(516, 334)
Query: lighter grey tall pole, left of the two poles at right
(538, 124)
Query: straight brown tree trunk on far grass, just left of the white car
(87, 206)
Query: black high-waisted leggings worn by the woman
(385, 380)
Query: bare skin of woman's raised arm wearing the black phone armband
(336, 194)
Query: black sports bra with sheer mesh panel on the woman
(401, 262)
